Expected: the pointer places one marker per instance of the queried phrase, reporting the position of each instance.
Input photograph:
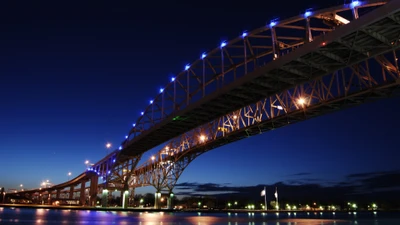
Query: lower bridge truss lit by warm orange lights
(338, 90)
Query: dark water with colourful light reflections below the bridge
(65, 216)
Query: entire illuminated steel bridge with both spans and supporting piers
(282, 73)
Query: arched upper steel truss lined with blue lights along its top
(238, 62)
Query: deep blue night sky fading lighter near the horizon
(75, 75)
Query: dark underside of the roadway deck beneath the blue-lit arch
(333, 49)
